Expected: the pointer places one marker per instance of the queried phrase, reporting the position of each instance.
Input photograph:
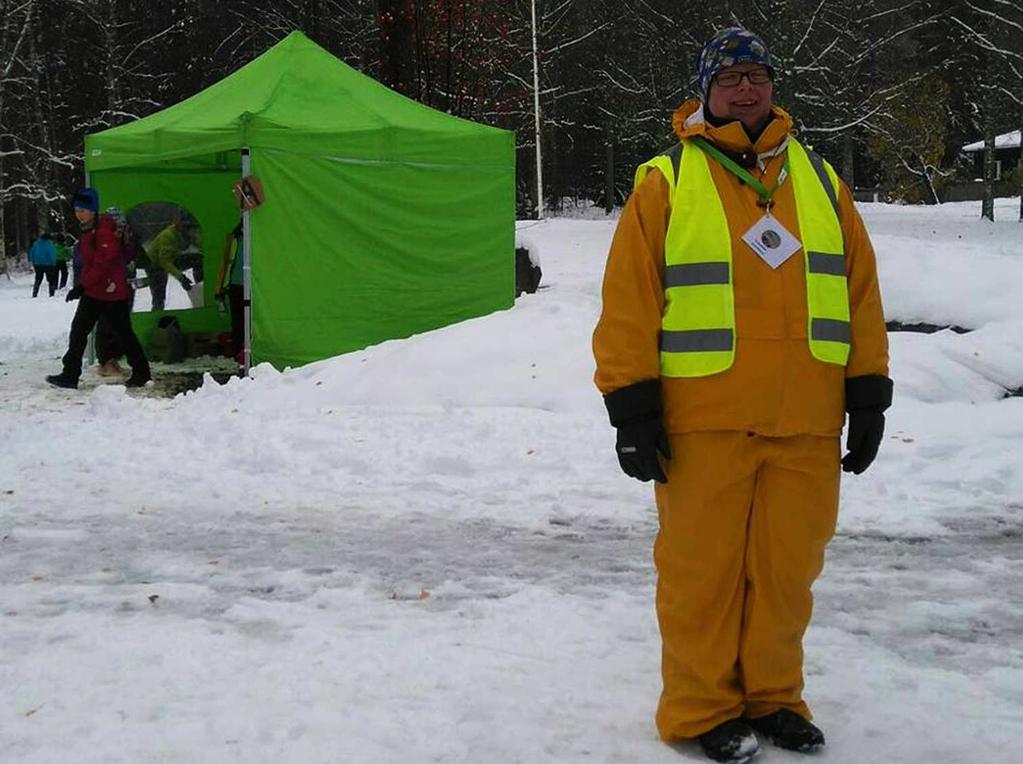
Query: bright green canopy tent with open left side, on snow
(383, 217)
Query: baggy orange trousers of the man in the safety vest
(744, 522)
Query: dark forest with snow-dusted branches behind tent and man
(888, 92)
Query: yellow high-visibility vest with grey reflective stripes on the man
(698, 328)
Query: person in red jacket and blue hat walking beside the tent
(104, 292)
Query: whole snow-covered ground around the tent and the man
(425, 552)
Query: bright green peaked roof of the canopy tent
(297, 98)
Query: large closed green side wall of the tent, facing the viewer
(358, 253)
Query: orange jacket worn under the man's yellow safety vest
(776, 388)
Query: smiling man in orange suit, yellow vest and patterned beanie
(742, 321)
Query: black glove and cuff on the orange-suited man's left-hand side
(636, 413)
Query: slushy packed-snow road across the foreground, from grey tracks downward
(469, 635)
